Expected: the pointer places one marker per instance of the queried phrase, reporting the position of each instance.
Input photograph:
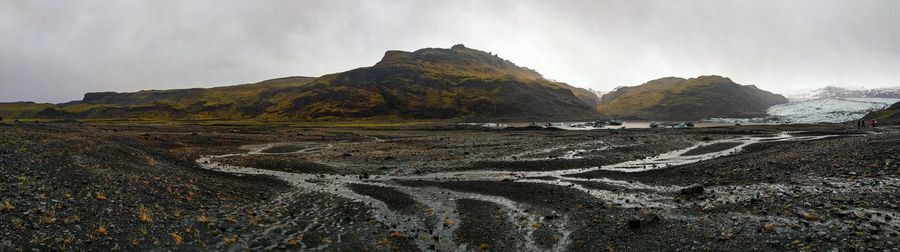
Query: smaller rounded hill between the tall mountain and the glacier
(675, 98)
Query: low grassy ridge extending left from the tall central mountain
(220, 103)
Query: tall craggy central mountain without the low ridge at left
(437, 83)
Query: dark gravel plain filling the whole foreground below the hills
(140, 187)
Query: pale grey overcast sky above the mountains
(55, 51)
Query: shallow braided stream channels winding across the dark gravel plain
(443, 201)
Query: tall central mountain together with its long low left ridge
(429, 83)
